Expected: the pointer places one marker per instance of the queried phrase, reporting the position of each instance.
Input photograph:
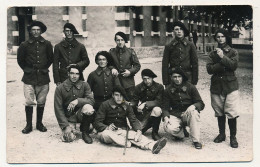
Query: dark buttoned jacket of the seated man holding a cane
(109, 112)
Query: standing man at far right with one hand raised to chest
(222, 65)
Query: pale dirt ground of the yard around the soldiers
(38, 147)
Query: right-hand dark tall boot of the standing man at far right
(233, 131)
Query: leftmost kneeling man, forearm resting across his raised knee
(73, 103)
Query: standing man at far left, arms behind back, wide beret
(34, 57)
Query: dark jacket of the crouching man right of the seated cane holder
(152, 95)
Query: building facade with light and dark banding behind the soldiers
(145, 26)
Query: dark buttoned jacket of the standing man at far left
(35, 56)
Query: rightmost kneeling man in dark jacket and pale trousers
(181, 107)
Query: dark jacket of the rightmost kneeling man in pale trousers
(177, 99)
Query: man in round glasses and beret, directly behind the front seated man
(101, 81)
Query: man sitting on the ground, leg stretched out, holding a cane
(111, 124)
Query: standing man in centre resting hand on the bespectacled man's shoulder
(126, 64)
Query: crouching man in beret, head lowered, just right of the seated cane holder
(149, 93)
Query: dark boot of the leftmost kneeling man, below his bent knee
(85, 128)
